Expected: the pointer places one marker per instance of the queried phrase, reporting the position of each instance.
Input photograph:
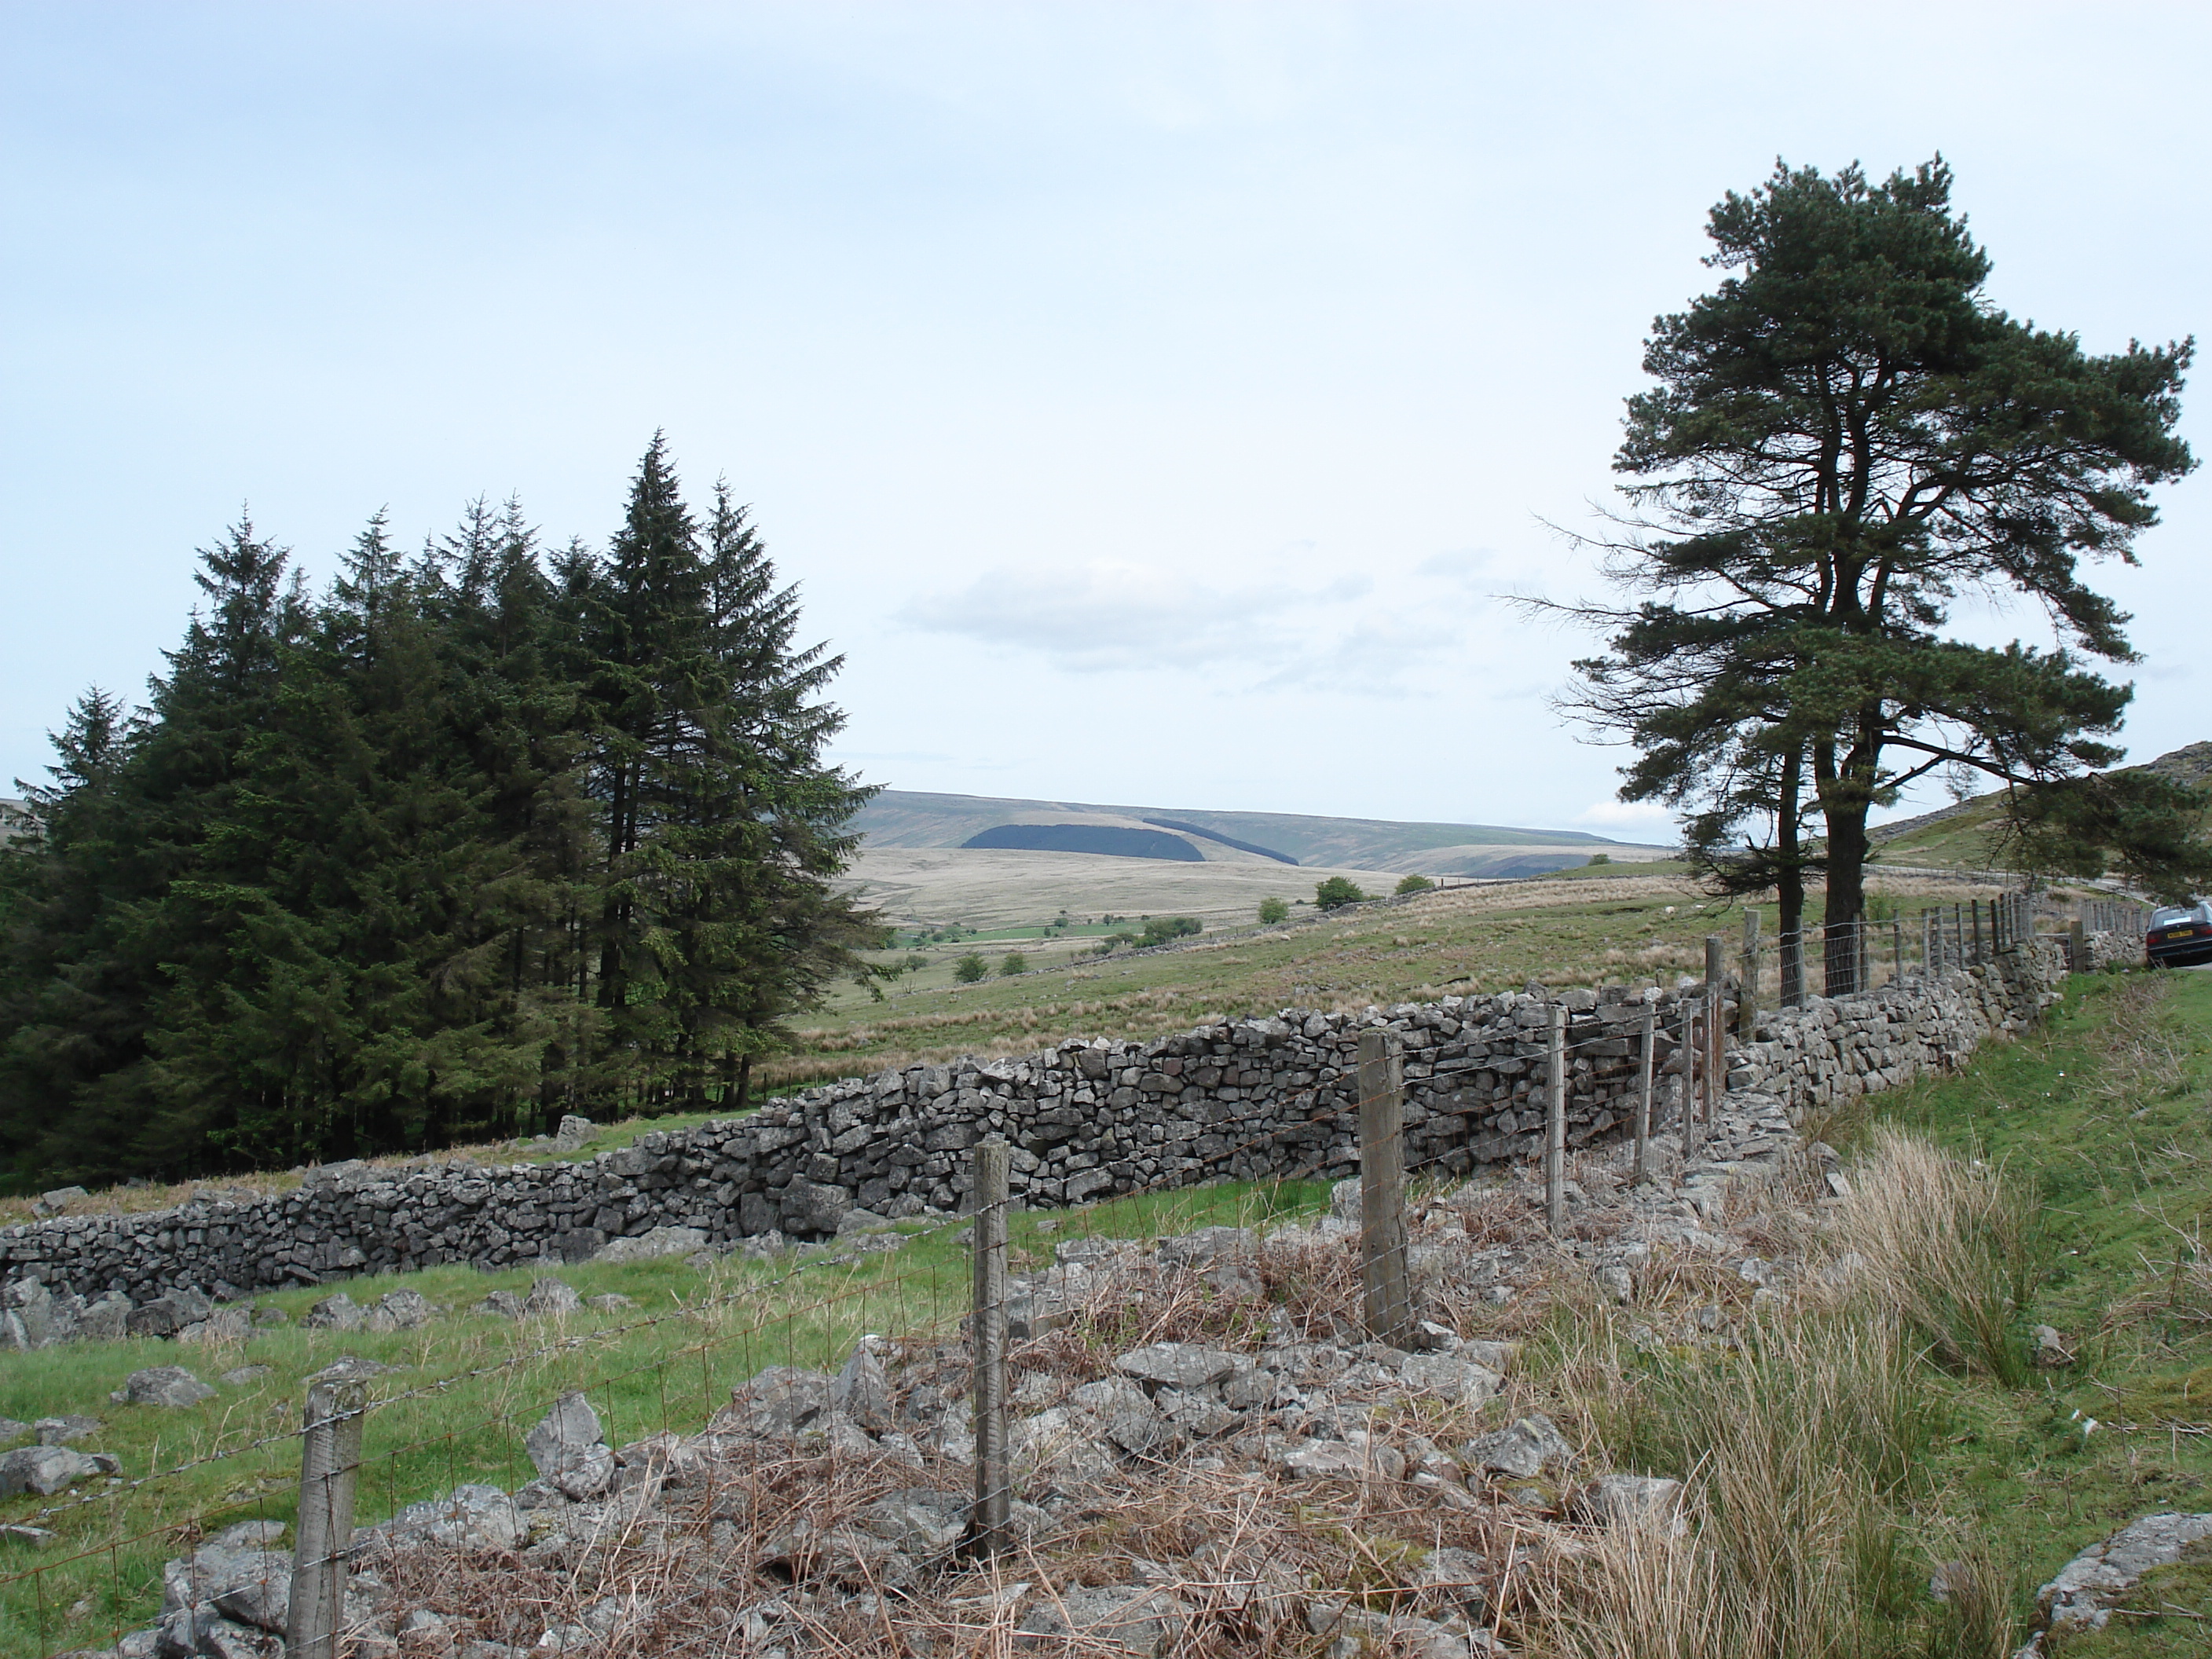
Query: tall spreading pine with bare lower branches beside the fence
(1844, 444)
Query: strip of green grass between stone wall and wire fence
(709, 1333)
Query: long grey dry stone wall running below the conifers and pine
(1235, 1100)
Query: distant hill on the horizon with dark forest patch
(919, 820)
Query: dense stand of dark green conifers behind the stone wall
(477, 837)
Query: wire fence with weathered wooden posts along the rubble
(377, 1443)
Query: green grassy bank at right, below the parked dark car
(2105, 1114)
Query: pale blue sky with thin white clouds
(1154, 401)
